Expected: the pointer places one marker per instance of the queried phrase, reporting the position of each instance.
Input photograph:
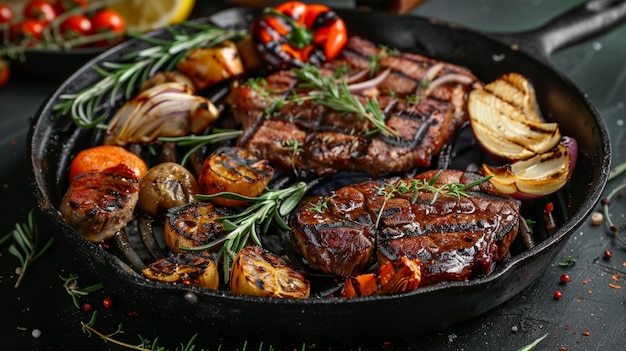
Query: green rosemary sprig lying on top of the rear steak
(334, 93)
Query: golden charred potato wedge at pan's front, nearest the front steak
(259, 272)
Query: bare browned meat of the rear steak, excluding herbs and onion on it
(331, 141)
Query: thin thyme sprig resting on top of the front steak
(457, 190)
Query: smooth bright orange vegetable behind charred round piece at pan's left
(99, 158)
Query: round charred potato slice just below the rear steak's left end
(236, 170)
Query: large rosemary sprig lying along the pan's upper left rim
(138, 66)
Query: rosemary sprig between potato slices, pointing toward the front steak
(270, 206)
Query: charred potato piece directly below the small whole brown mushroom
(193, 225)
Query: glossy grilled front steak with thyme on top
(454, 238)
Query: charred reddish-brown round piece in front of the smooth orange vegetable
(98, 204)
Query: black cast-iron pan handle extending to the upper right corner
(583, 22)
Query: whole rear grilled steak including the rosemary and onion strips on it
(315, 120)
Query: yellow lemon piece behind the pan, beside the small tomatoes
(145, 15)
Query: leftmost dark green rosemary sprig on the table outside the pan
(26, 247)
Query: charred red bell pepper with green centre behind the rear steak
(295, 33)
